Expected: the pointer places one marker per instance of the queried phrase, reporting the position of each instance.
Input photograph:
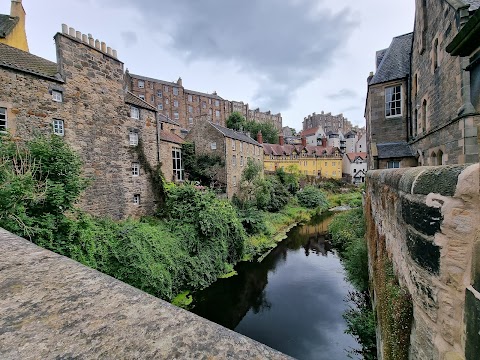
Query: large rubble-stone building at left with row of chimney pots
(82, 98)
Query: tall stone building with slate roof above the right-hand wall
(423, 104)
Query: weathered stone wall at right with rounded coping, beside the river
(426, 221)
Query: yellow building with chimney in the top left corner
(12, 27)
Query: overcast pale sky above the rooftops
(290, 56)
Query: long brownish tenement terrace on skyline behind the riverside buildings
(187, 107)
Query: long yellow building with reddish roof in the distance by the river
(309, 160)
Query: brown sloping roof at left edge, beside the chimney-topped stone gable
(20, 60)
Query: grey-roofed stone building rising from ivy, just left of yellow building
(234, 148)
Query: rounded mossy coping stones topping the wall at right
(422, 180)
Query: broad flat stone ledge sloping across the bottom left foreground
(53, 307)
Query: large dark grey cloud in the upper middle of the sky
(284, 43)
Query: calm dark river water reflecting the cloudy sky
(292, 301)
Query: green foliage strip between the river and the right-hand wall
(347, 232)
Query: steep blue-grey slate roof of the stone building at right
(395, 63)
